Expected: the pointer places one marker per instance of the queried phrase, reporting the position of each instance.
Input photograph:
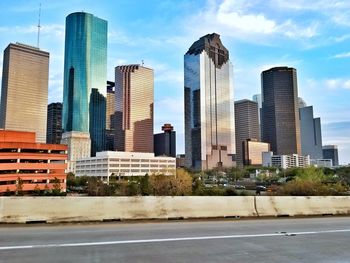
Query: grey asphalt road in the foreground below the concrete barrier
(318, 240)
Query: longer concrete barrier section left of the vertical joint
(69, 209)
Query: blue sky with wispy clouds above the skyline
(312, 36)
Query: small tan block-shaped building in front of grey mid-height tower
(252, 151)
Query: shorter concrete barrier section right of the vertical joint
(301, 205)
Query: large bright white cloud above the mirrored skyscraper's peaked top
(237, 19)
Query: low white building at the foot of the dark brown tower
(285, 161)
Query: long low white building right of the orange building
(108, 163)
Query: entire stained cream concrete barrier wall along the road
(70, 209)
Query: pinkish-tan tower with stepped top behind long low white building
(134, 86)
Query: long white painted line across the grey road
(158, 240)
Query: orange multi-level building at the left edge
(36, 164)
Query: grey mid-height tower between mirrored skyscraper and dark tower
(247, 125)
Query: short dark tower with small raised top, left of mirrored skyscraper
(165, 143)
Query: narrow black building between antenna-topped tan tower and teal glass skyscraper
(54, 123)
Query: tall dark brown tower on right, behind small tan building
(280, 114)
